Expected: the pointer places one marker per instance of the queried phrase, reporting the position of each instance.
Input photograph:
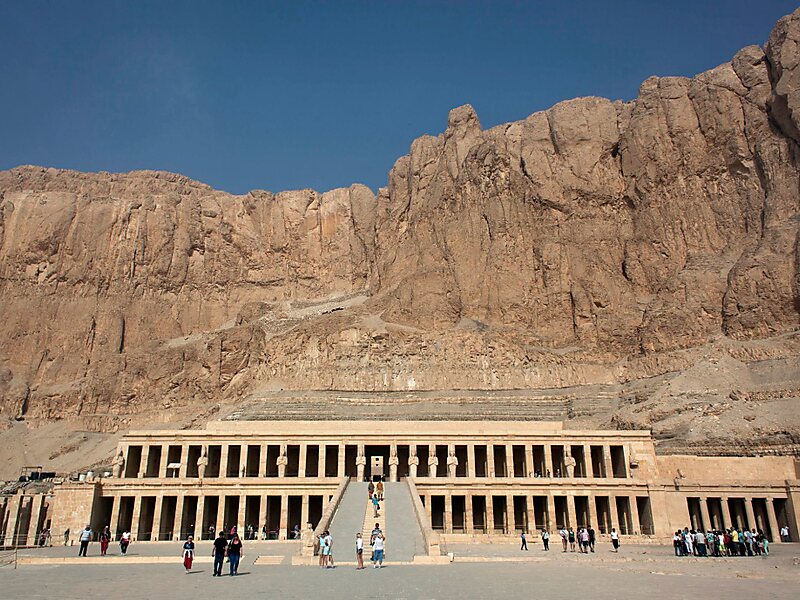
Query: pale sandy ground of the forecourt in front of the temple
(637, 572)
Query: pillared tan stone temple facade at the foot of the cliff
(465, 479)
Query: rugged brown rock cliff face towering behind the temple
(596, 242)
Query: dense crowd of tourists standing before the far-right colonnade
(734, 541)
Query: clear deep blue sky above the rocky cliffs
(287, 95)
